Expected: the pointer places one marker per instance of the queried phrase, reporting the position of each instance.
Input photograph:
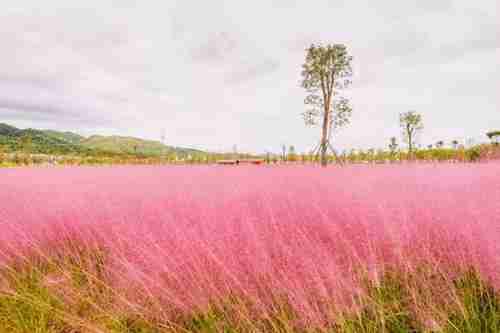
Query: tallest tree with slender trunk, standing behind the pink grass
(327, 70)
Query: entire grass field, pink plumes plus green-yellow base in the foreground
(392, 248)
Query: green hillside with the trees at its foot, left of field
(35, 147)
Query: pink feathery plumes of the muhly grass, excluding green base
(176, 239)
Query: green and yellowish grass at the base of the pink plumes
(32, 305)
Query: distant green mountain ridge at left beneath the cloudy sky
(53, 142)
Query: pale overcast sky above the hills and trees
(213, 74)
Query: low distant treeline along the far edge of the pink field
(477, 153)
